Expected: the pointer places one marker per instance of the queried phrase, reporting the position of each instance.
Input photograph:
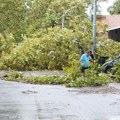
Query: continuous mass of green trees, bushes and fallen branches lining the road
(48, 35)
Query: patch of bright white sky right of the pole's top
(105, 5)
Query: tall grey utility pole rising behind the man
(94, 27)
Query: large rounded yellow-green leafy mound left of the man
(51, 51)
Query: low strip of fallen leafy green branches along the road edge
(73, 78)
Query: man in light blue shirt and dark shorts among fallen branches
(85, 58)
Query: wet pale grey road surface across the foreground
(20, 101)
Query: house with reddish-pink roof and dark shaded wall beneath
(113, 22)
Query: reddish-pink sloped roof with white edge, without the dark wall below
(113, 21)
